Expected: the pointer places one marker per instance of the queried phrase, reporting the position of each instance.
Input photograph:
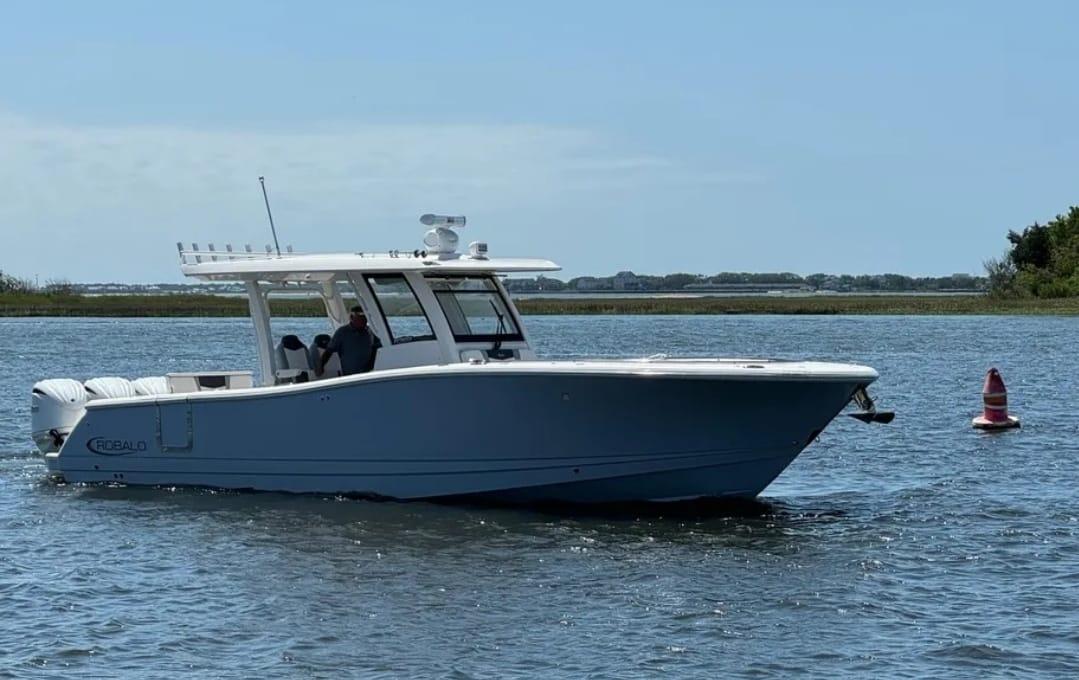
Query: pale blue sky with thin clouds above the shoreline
(843, 138)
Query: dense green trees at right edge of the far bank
(1043, 261)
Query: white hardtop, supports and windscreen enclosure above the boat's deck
(431, 307)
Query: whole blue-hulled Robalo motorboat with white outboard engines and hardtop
(458, 403)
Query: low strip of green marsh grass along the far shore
(131, 306)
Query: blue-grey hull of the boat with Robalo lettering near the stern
(517, 437)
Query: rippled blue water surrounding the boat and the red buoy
(919, 549)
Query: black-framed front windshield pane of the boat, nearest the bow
(475, 309)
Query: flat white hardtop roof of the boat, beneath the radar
(292, 267)
